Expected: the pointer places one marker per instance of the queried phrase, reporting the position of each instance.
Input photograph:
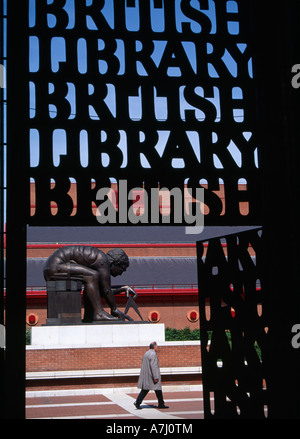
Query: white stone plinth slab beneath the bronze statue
(98, 334)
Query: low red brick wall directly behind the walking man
(39, 360)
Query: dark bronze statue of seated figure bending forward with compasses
(94, 268)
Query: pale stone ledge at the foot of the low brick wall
(108, 373)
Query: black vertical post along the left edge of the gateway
(17, 205)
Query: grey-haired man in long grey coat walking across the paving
(150, 378)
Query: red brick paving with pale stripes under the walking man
(182, 404)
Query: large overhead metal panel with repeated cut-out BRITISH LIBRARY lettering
(154, 93)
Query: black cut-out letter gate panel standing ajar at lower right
(234, 326)
